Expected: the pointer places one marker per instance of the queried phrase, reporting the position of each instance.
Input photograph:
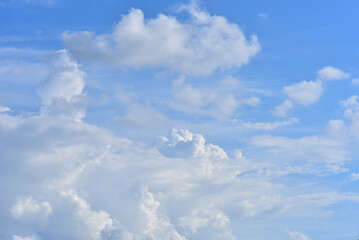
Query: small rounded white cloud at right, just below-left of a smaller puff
(304, 93)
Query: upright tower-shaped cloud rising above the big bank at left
(62, 91)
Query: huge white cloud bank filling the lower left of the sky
(74, 181)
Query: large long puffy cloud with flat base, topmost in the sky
(196, 47)
